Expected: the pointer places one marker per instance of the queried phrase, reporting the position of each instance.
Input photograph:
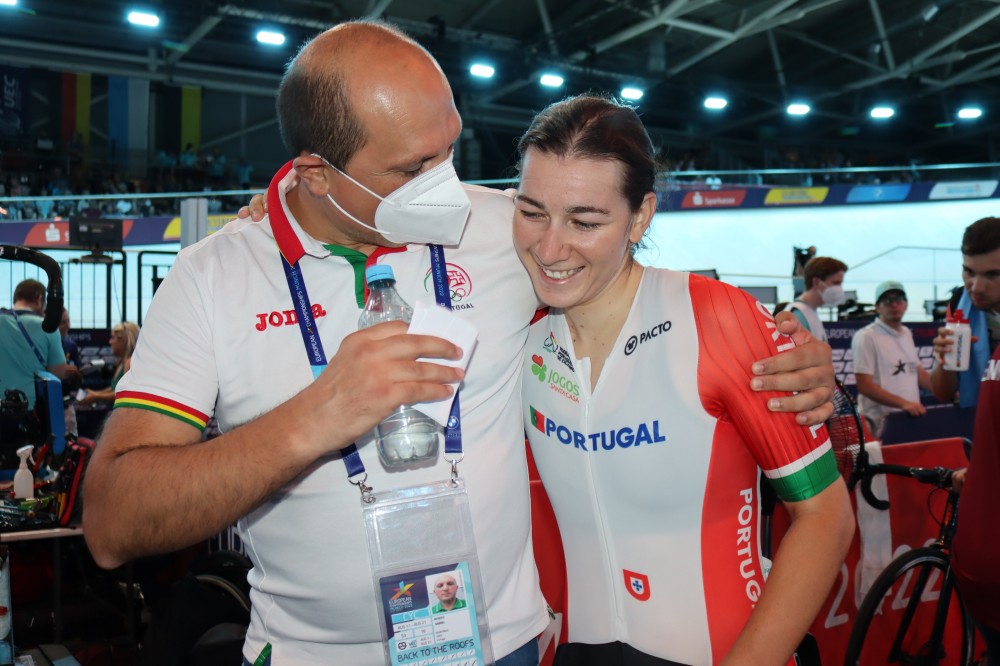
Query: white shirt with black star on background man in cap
(890, 357)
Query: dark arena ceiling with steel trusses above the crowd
(927, 58)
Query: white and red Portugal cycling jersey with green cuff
(653, 472)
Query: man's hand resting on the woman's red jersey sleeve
(807, 369)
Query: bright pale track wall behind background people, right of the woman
(754, 246)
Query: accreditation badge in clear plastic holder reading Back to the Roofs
(426, 576)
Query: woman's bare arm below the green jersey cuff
(805, 567)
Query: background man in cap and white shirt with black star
(886, 365)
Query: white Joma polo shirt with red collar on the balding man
(220, 339)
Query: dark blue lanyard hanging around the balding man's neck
(317, 357)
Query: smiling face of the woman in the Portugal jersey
(573, 228)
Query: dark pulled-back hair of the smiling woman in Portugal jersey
(600, 128)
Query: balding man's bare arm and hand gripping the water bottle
(153, 487)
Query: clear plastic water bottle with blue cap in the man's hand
(407, 435)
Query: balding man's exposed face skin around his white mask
(412, 124)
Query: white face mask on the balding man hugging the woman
(431, 208)
